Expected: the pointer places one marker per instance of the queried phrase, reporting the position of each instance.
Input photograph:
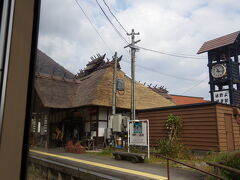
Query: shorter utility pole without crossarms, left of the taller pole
(114, 84)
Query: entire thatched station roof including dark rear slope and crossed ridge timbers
(93, 85)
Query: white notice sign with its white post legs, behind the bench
(138, 133)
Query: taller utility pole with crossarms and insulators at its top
(133, 57)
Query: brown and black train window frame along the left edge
(17, 57)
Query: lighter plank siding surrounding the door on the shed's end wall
(221, 112)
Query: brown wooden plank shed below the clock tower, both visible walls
(206, 126)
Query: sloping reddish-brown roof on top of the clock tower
(219, 42)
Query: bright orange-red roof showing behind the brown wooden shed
(180, 100)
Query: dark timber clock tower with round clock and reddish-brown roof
(223, 64)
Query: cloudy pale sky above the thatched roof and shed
(173, 26)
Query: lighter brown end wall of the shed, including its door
(223, 130)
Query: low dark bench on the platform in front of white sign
(133, 157)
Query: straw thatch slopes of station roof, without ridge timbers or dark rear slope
(94, 89)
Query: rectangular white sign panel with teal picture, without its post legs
(138, 133)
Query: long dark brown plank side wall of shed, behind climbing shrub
(199, 132)
